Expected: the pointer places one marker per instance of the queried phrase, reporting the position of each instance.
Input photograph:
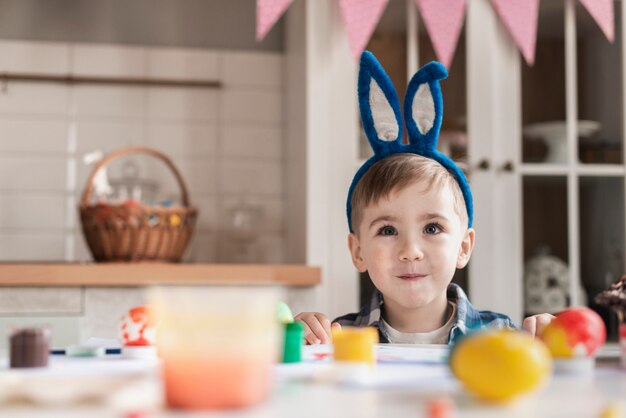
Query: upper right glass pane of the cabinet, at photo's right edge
(599, 69)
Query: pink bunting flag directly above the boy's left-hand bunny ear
(360, 17)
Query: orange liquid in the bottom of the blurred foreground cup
(212, 383)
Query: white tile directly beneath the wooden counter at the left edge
(53, 300)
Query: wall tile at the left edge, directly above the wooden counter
(35, 246)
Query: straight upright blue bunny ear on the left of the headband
(379, 105)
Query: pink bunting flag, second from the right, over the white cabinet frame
(520, 19)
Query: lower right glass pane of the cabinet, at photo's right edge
(601, 240)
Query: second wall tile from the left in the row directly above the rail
(109, 61)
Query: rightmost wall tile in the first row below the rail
(264, 106)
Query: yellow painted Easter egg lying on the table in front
(498, 365)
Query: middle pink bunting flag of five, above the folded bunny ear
(443, 20)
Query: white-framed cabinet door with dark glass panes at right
(572, 190)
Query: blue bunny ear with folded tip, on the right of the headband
(423, 107)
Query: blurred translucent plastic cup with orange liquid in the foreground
(218, 344)
